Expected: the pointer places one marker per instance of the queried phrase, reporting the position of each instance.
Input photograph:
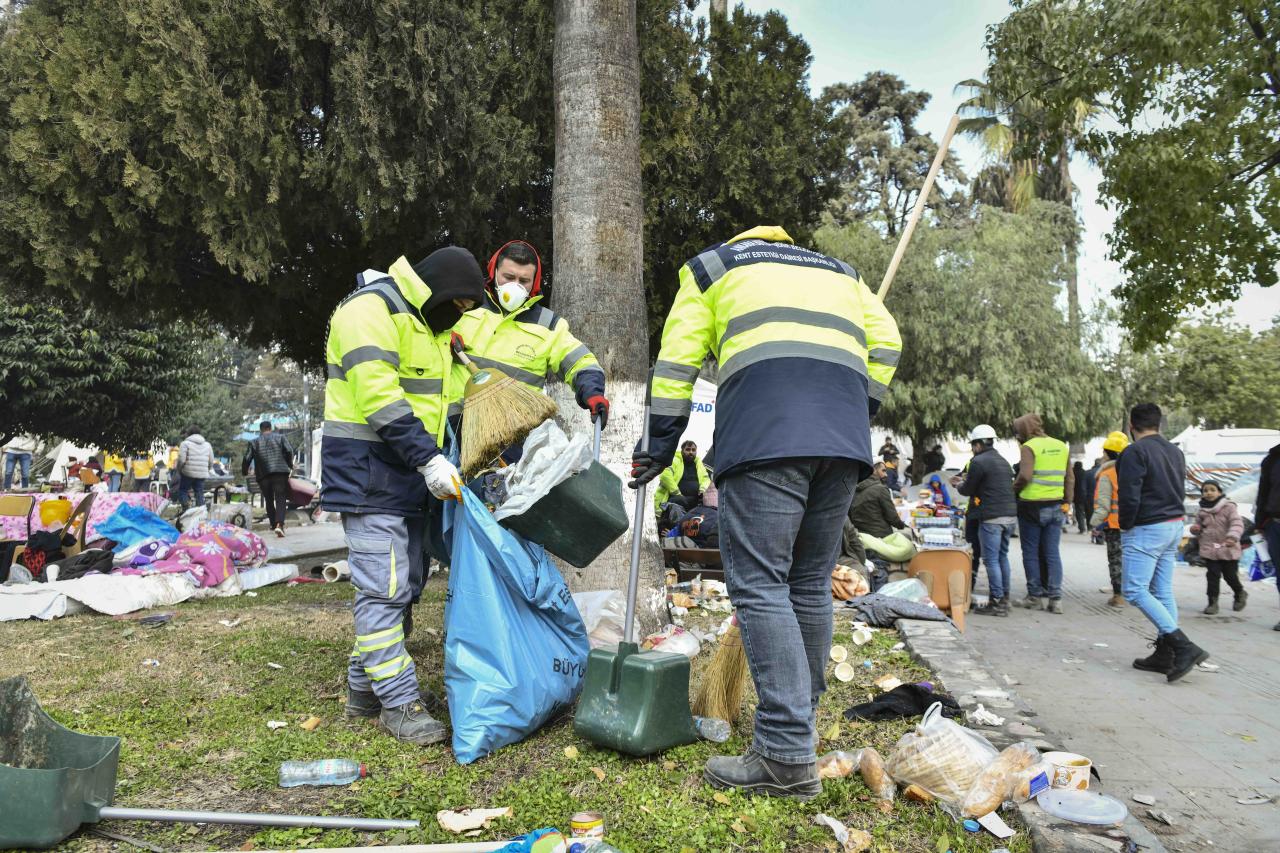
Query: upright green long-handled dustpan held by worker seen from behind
(636, 703)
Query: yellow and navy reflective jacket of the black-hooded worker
(390, 381)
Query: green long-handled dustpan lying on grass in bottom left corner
(53, 779)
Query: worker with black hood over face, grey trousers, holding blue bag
(390, 381)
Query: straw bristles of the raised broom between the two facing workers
(499, 414)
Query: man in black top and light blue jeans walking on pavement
(1153, 476)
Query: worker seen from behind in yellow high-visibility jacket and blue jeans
(806, 357)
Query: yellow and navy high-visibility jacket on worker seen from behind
(806, 353)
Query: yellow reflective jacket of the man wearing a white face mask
(529, 345)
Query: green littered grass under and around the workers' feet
(196, 737)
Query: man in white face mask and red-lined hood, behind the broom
(514, 334)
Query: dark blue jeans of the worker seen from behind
(781, 523)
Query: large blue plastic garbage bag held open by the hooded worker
(515, 647)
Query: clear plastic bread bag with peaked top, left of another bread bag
(941, 758)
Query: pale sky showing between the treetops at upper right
(934, 45)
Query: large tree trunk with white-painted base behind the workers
(598, 222)
